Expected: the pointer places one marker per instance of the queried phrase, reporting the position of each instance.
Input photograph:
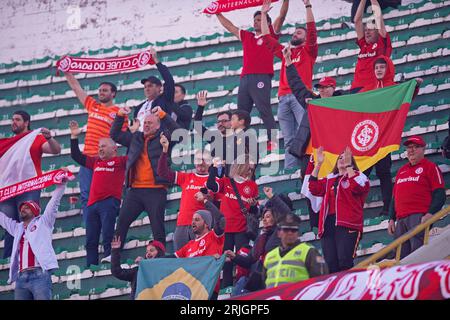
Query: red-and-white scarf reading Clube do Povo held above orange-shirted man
(91, 65)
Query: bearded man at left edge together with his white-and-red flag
(20, 159)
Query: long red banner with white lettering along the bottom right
(427, 281)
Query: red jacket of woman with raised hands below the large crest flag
(350, 197)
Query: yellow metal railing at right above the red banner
(397, 244)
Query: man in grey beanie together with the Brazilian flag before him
(183, 279)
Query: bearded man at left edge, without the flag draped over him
(43, 143)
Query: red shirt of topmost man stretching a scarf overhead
(257, 59)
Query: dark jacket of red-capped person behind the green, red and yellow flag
(302, 93)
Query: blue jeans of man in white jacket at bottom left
(35, 284)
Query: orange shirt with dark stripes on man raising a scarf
(100, 119)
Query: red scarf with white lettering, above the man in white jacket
(40, 182)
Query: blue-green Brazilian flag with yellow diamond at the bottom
(178, 278)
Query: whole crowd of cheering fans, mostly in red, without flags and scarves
(220, 196)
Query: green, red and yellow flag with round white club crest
(371, 123)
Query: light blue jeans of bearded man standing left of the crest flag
(290, 113)
